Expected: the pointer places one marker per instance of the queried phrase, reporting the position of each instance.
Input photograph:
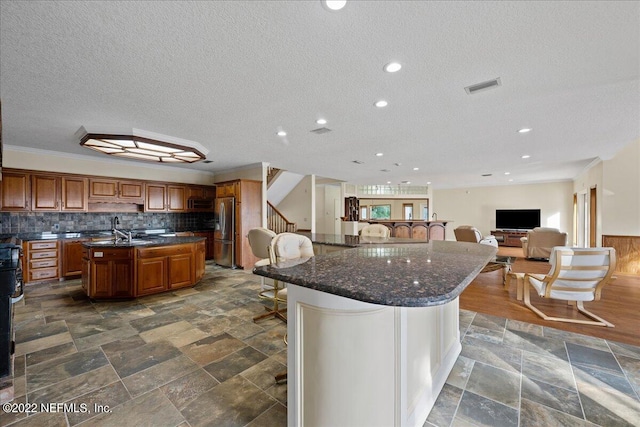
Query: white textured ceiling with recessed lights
(230, 74)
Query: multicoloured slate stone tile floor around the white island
(195, 358)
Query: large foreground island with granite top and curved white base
(373, 330)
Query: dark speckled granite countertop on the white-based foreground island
(406, 275)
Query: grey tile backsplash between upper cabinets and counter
(59, 222)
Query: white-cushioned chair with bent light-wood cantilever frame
(576, 275)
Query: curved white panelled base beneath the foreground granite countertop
(352, 363)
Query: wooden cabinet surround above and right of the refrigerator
(248, 215)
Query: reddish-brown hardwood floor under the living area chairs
(620, 302)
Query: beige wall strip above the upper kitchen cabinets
(19, 158)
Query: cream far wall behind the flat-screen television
(477, 205)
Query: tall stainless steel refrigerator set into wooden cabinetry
(224, 233)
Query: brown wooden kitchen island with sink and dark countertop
(129, 269)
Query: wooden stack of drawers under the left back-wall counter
(41, 260)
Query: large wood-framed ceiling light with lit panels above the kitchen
(136, 144)
